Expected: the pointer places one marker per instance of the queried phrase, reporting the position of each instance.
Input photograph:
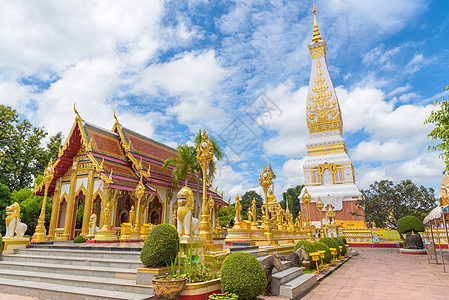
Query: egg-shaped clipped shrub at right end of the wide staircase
(161, 246)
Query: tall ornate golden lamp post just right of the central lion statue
(204, 154)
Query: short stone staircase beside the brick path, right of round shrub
(291, 282)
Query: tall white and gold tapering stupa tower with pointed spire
(328, 171)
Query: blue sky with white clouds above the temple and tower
(239, 69)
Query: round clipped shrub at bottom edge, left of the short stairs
(243, 275)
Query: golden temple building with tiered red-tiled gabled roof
(97, 172)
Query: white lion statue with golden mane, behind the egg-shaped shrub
(186, 224)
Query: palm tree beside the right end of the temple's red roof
(185, 164)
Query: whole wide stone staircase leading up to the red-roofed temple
(50, 273)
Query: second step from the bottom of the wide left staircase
(111, 284)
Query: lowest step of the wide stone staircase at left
(58, 292)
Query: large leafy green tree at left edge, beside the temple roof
(22, 155)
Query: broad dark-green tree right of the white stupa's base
(384, 203)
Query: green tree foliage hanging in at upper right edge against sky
(440, 119)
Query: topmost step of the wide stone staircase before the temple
(127, 255)
